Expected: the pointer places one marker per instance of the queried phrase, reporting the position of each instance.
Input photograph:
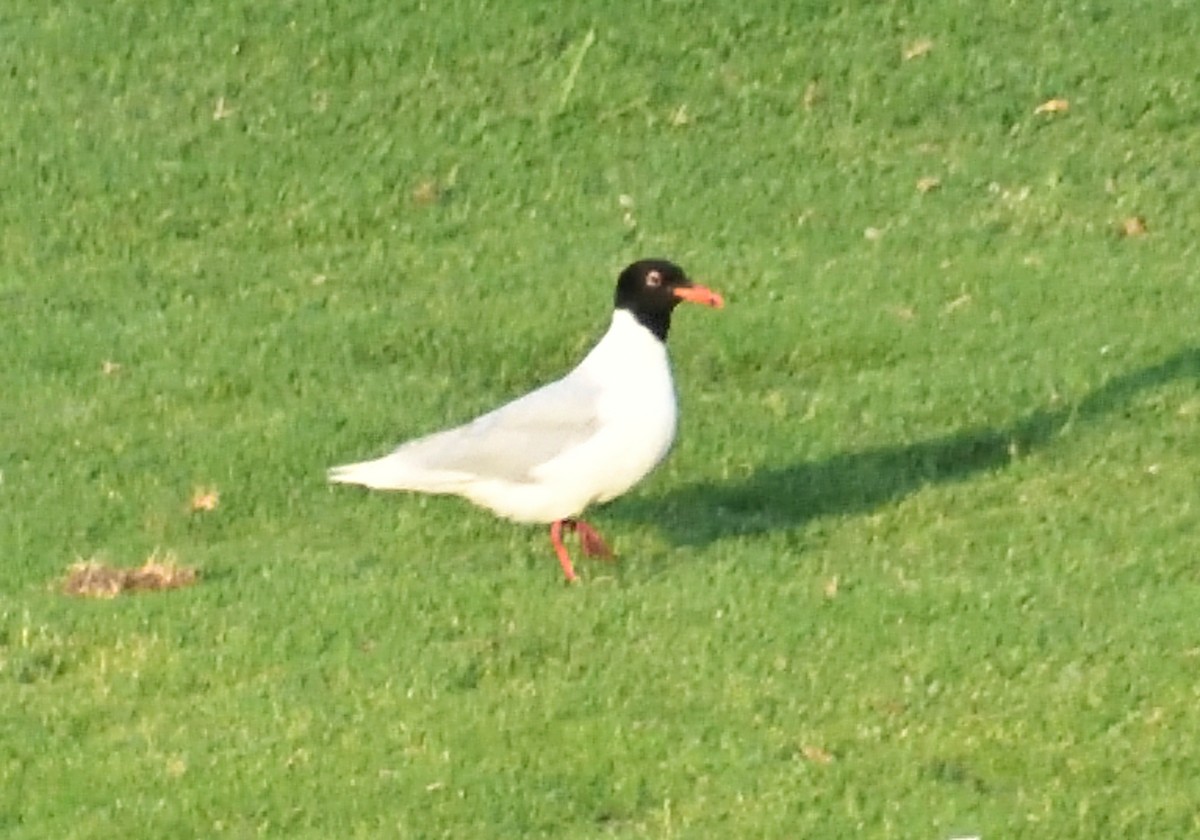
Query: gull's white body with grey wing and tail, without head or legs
(587, 437)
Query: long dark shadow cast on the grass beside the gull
(855, 483)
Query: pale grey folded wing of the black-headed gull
(515, 440)
